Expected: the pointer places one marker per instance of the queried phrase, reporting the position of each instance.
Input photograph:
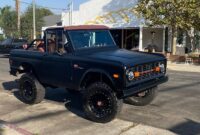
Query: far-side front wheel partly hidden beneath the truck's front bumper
(142, 98)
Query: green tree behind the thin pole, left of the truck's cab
(27, 21)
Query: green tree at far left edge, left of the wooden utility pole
(8, 20)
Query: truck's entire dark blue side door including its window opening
(56, 63)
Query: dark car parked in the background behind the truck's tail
(11, 43)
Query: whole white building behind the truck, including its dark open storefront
(128, 31)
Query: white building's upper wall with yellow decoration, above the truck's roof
(113, 13)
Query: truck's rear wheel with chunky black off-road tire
(30, 90)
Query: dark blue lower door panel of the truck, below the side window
(56, 70)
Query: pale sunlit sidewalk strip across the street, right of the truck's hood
(183, 67)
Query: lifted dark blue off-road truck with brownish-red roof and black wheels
(86, 59)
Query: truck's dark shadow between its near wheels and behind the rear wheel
(71, 100)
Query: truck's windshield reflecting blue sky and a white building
(91, 38)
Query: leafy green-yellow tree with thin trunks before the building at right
(183, 14)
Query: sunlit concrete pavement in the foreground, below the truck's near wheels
(50, 118)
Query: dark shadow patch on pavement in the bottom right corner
(187, 128)
